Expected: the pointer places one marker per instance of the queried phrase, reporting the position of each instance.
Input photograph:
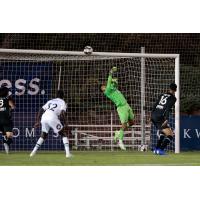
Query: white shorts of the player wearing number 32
(53, 123)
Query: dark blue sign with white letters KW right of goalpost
(190, 133)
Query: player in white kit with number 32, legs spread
(51, 114)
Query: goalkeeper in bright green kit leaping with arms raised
(124, 110)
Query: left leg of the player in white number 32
(44, 134)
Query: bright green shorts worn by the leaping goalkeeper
(125, 113)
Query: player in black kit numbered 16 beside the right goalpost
(159, 117)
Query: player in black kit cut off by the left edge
(6, 124)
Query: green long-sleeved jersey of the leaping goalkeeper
(114, 94)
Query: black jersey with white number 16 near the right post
(163, 105)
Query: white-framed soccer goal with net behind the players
(34, 76)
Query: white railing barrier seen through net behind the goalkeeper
(85, 137)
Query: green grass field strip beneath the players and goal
(90, 158)
